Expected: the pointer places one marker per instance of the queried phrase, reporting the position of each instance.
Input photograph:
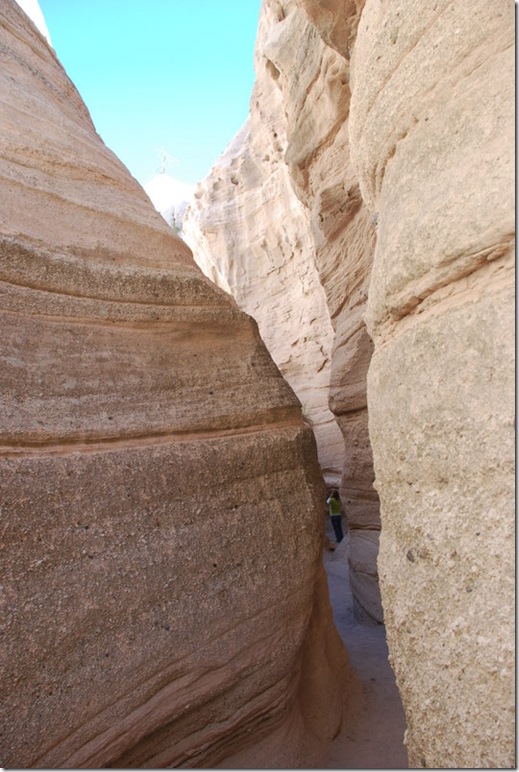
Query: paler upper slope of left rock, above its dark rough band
(69, 172)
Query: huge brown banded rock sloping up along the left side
(162, 586)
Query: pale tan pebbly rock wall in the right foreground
(432, 127)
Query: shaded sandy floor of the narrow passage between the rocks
(373, 730)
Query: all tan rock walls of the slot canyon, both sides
(339, 313)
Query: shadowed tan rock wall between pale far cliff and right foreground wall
(313, 61)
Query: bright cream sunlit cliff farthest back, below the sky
(251, 235)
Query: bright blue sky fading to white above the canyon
(171, 74)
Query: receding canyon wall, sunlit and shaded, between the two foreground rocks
(281, 224)
